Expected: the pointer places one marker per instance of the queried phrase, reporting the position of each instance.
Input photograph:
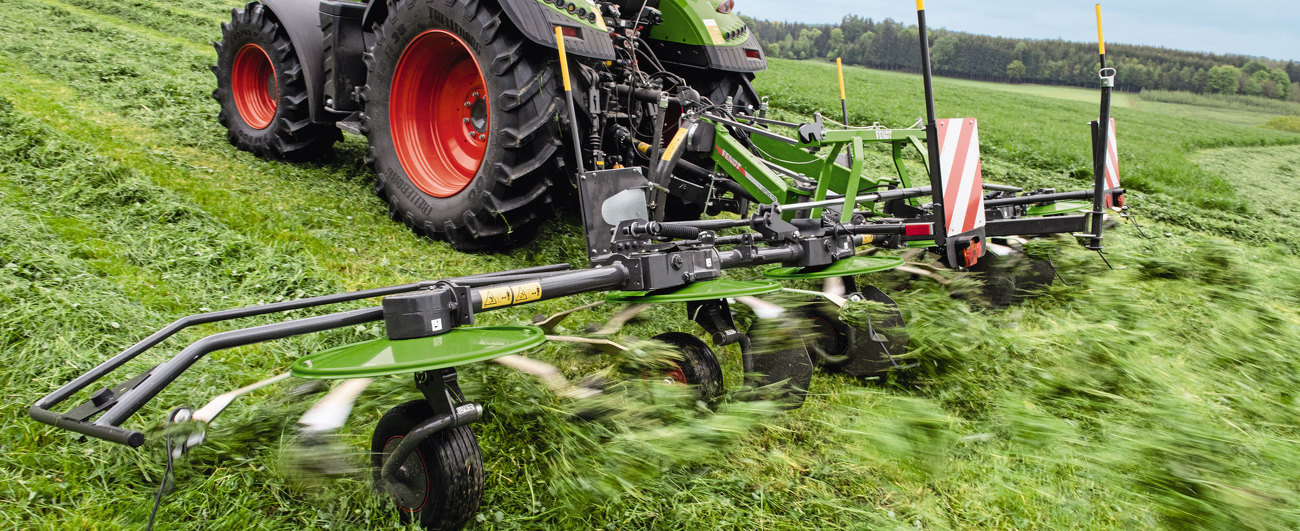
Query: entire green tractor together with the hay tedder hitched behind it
(483, 116)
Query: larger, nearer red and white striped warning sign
(960, 170)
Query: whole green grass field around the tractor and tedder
(1159, 395)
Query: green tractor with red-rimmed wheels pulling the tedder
(462, 102)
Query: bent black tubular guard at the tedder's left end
(115, 405)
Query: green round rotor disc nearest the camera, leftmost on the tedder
(385, 357)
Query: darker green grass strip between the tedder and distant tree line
(1043, 136)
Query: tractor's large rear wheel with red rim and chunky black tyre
(461, 115)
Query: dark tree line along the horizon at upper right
(894, 46)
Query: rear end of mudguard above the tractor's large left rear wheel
(538, 21)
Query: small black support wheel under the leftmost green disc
(443, 481)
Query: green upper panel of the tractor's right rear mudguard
(699, 23)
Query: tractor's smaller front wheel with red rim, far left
(262, 90)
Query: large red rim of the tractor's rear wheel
(439, 114)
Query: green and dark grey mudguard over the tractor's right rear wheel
(695, 34)
